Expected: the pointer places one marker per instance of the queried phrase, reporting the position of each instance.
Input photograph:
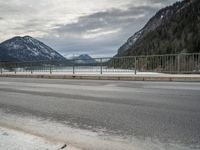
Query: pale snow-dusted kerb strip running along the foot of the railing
(167, 78)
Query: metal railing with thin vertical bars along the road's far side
(172, 63)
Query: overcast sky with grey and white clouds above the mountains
(72, 27)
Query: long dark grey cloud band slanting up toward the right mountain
(107, 20)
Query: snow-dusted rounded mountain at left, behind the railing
(27, 49)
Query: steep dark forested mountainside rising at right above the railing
(167, 31)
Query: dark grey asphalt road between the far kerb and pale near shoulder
(168, 111)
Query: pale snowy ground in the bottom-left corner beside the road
(14, 140)
